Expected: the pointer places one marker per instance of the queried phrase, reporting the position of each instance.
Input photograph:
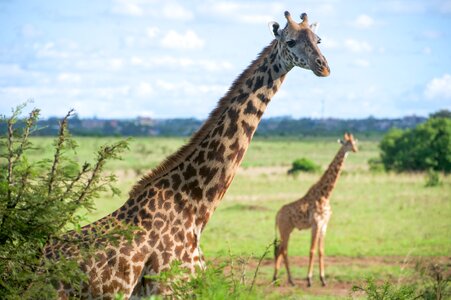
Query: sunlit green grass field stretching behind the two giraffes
(381, 223)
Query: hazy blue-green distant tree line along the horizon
(278, 126)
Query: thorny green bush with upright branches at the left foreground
(38, 203)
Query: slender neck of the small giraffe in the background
(326, 184)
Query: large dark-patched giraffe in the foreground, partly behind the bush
(172, 204)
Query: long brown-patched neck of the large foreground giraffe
(194, 179)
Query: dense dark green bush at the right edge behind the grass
(426, 147)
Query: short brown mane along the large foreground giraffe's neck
(183, 152)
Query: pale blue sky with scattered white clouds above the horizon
(165, 59)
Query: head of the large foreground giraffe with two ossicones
(299, 45)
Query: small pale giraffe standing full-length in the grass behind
(311, 211)
